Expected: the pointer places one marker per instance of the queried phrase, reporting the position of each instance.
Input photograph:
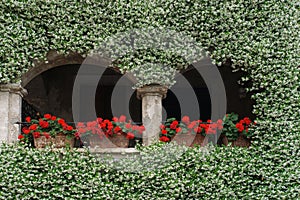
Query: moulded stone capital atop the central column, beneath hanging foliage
(152, 90)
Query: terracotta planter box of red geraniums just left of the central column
(114, 141)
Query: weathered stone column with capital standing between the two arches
(151, 96)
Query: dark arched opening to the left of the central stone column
(51, 92)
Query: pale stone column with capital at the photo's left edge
(10, 111)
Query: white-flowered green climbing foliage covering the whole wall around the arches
(260, 37)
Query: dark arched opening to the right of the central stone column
(238, 101)
